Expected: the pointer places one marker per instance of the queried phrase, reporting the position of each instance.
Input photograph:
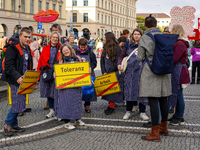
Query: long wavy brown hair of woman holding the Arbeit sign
(110, 46)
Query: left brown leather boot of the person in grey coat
(154, 135)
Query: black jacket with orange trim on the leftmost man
(14, 62)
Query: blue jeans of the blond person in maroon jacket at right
(180, 107)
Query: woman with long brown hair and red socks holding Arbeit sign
(109, 58)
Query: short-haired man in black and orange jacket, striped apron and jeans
(18, 59)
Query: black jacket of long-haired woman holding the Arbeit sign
(113, 68)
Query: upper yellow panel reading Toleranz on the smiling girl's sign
(71, 68)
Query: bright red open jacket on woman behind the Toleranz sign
(45, 56)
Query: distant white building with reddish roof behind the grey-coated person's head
(163, 19)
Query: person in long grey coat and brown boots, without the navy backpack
(156, 87)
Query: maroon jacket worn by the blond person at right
(181, 55)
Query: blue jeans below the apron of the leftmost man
(12, 118)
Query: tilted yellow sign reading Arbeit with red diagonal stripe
(106, 84)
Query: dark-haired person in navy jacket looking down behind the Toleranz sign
(87, 54)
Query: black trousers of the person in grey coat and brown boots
(164, 108)
